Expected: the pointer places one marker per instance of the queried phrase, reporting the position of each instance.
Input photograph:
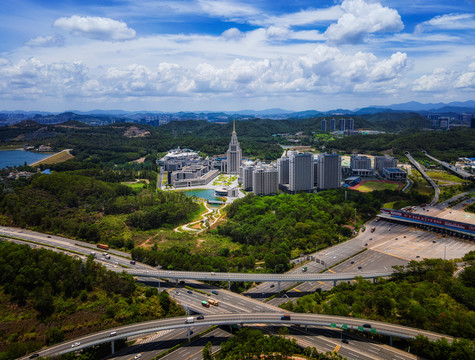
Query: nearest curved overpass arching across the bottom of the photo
(240, 318)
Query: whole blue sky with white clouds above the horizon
(231, 55)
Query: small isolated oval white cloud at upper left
(98, 28)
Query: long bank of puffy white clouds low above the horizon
(325, 70)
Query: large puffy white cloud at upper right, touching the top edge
(361, 18)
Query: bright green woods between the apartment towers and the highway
(271, 230)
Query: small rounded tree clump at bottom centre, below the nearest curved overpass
(250, 343)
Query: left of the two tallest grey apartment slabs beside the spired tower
(301, 172)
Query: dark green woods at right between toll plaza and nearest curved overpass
(423, 295)
